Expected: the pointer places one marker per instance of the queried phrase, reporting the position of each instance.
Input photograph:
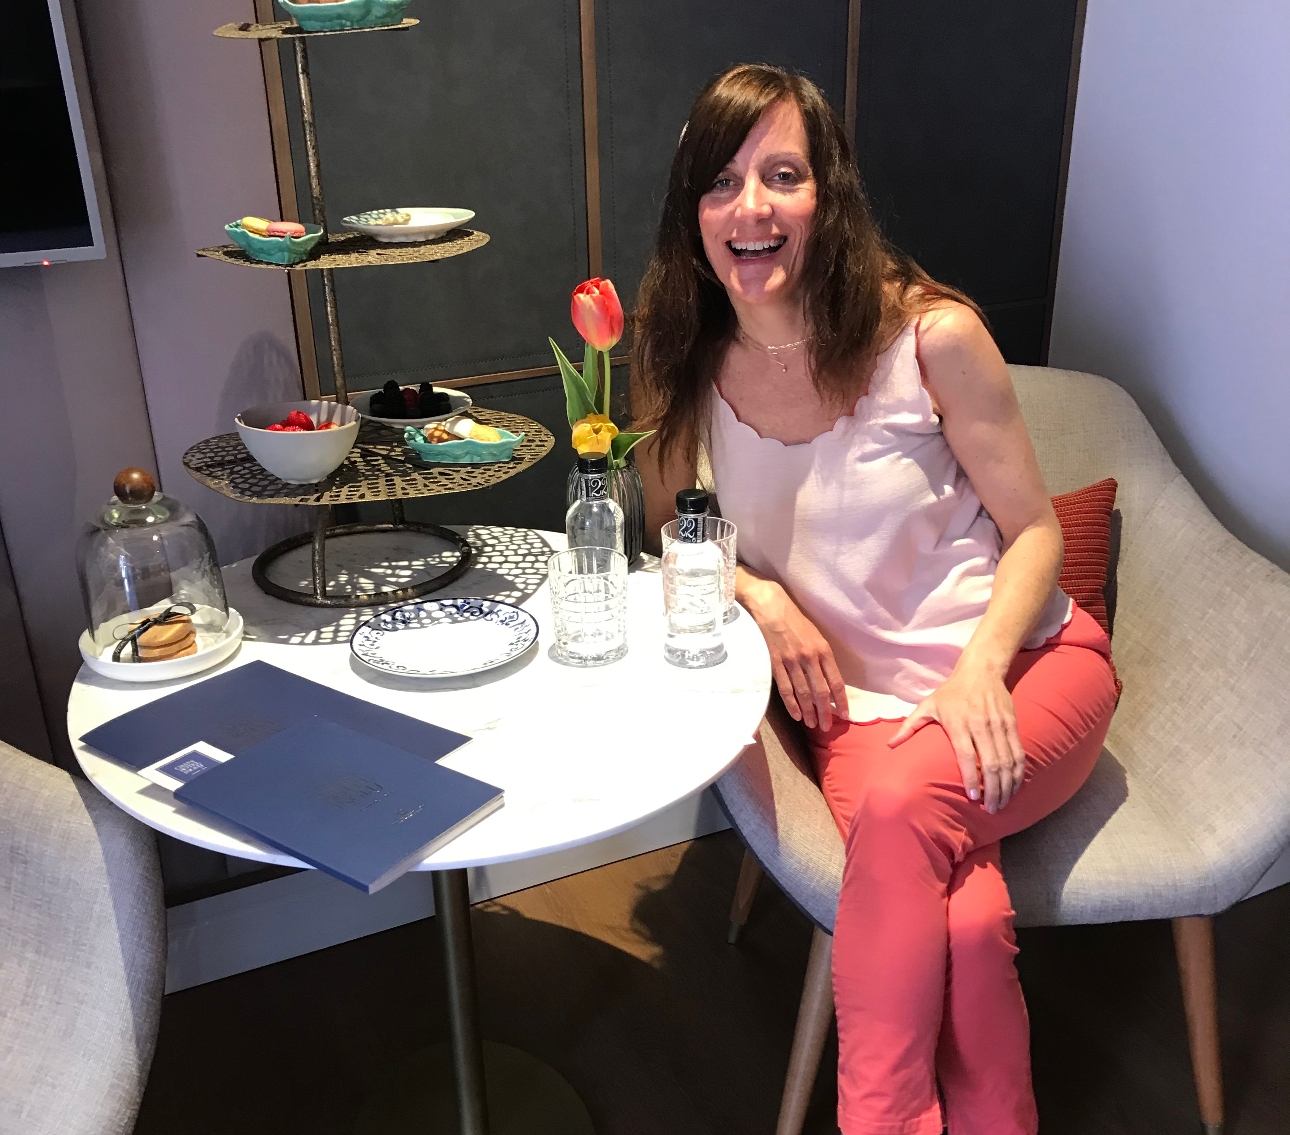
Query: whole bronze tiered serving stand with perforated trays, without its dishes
(379, 468)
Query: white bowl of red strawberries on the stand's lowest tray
(300, 443)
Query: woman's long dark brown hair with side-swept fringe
(858, 291)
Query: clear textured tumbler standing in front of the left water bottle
(589, 604)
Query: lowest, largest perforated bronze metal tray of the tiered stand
(380, 468)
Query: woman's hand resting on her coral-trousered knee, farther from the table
(976, 710)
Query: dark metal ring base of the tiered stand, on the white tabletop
(323, 532)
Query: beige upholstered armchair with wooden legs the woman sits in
(1189, 807)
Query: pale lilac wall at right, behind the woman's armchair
(1175, 278)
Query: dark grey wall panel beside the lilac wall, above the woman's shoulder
(960, 115)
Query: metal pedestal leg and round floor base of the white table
(470, 1087)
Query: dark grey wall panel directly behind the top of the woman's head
(653, 60)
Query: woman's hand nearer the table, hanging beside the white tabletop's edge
(802, 660)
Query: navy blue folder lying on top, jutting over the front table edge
(354, 807)
